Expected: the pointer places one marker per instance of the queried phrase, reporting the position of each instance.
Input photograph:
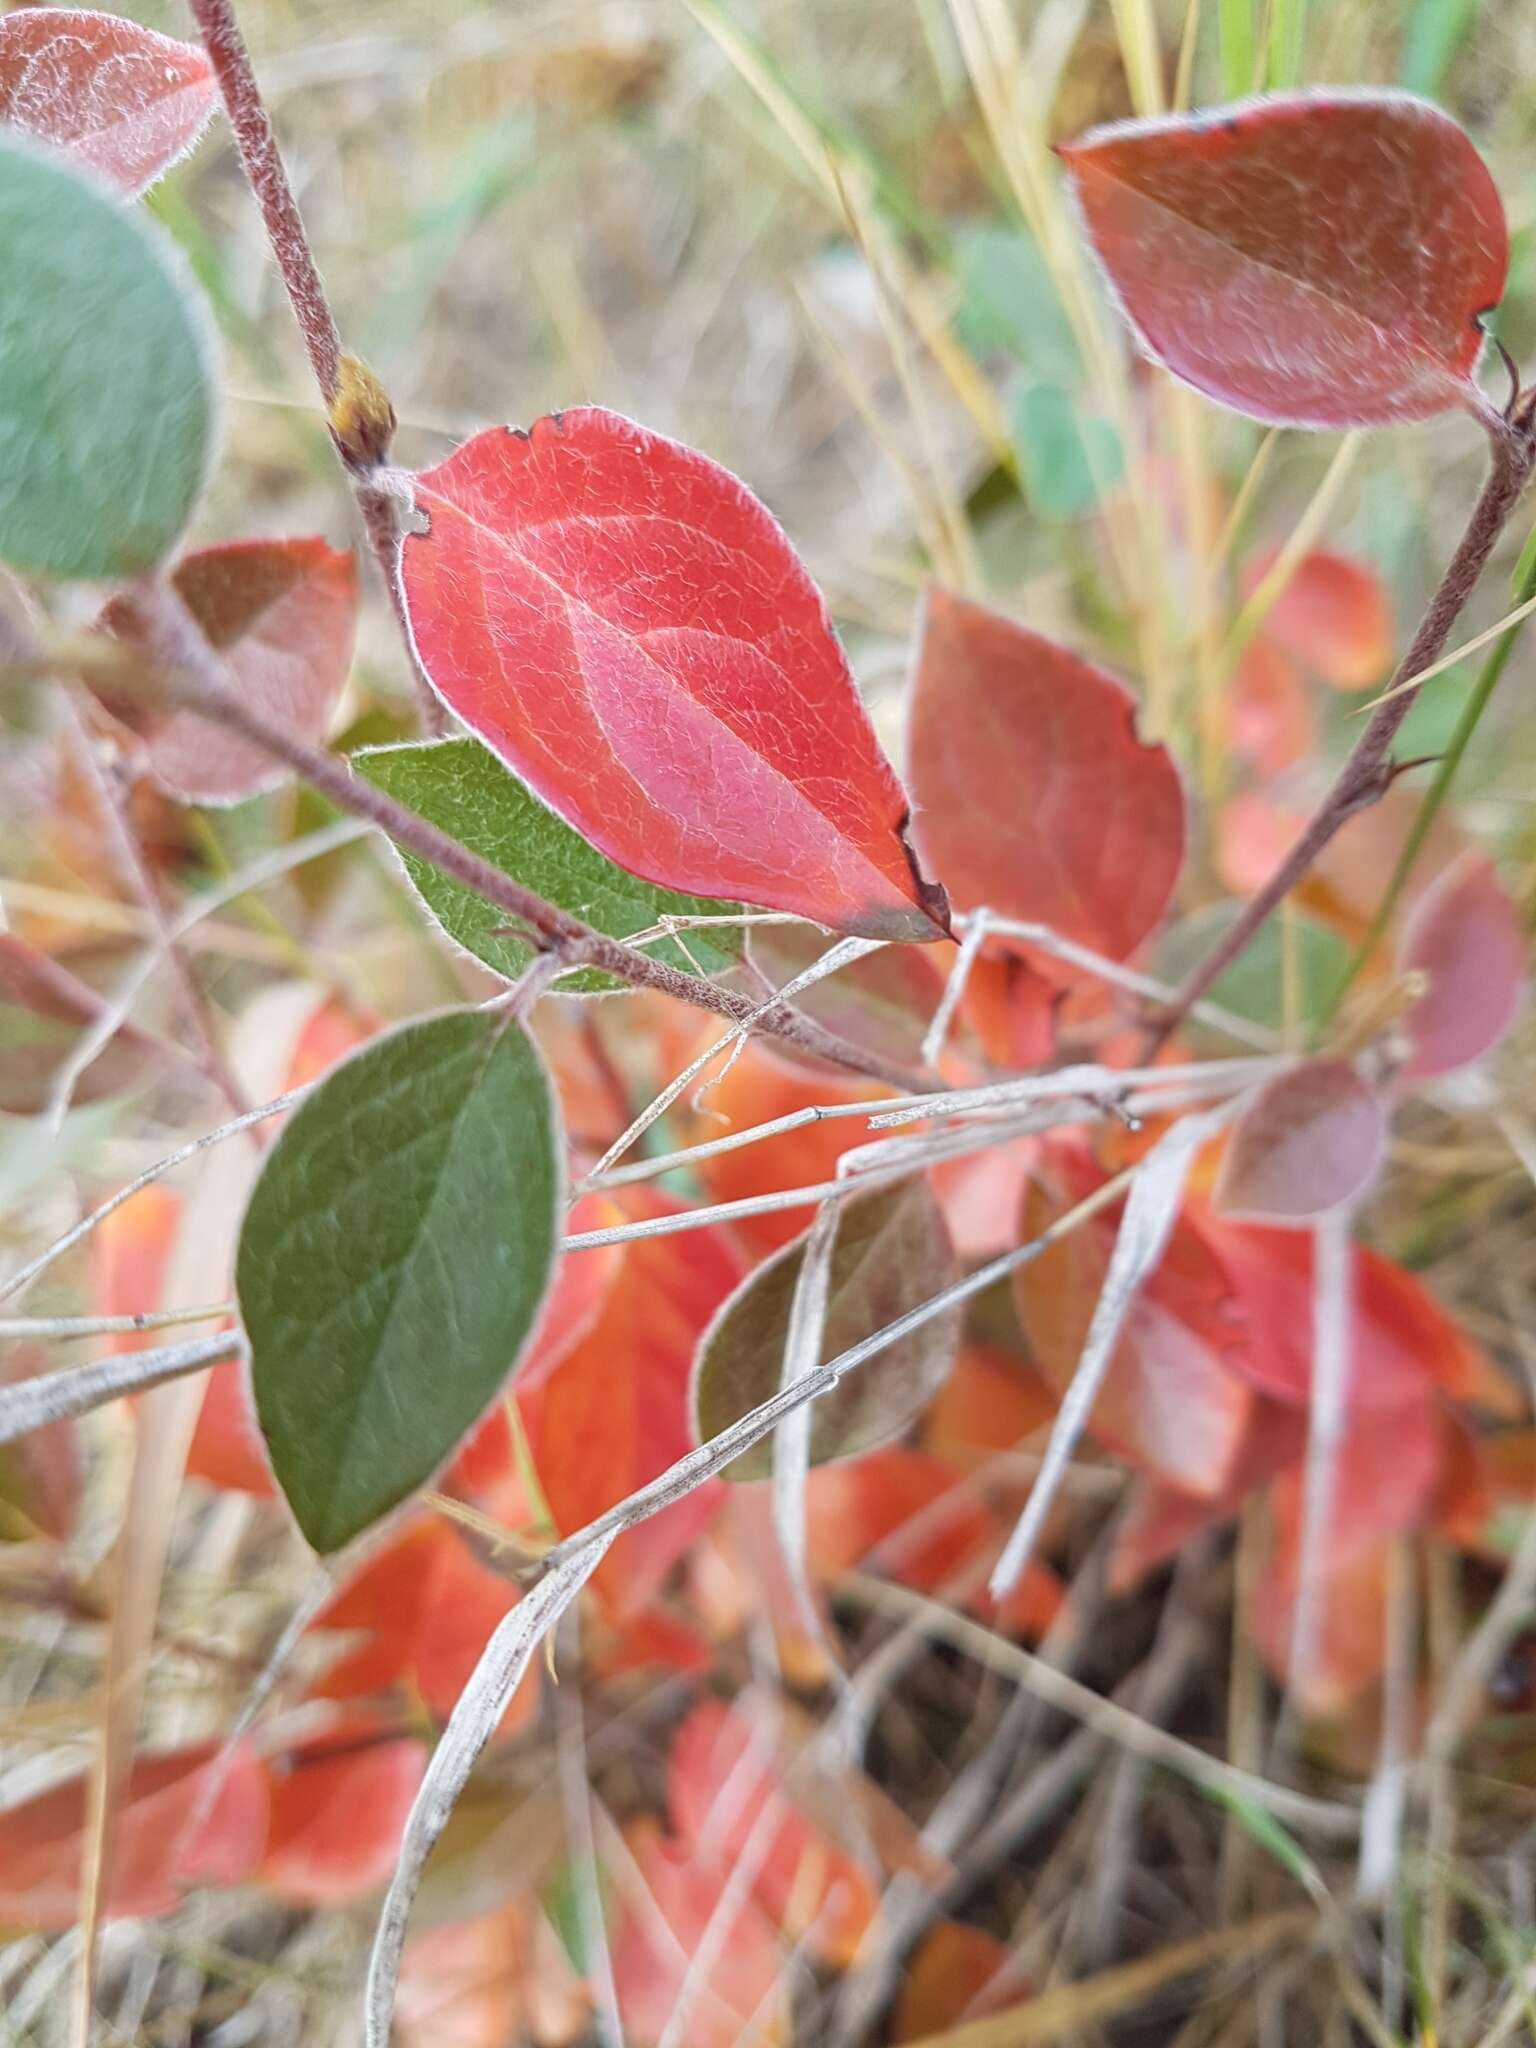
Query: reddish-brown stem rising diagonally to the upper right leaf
(1369, 771)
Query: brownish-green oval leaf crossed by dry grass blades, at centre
(894, 1254)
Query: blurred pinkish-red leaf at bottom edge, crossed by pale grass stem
(742, 2002)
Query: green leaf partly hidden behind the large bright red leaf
(462, 790)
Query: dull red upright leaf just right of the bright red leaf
(1033, 794)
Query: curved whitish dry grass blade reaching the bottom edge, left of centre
(472, 1723)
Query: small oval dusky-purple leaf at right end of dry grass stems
(1310, 1140)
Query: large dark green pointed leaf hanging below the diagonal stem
(394, 1261)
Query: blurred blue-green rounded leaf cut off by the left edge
(105, 378)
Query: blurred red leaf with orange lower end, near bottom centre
(726, 1801)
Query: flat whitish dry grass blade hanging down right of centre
(1150, 1215)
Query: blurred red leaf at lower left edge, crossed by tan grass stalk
(155, 1857)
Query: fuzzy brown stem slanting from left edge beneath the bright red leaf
(196, 677)
